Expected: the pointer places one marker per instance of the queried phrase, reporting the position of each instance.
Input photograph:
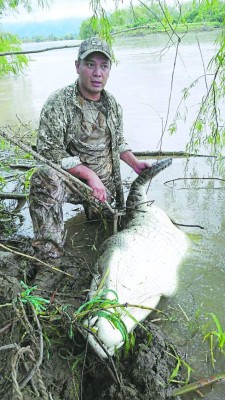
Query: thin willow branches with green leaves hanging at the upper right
(208, 128)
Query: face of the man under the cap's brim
(93, 74)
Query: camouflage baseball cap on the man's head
(93, 45)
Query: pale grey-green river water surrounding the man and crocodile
(194, 195)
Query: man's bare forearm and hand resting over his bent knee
(95, 183)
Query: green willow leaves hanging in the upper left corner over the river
(14, 63)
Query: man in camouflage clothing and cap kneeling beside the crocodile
(81, 130)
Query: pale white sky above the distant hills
(59, 9)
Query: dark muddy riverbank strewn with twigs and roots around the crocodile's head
(45, 356)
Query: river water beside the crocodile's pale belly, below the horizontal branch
(197, 201)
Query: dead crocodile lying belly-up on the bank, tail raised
(140, 264)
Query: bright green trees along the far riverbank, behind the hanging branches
(153, 17)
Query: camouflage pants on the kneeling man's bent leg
(48, 192)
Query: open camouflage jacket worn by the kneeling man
(63, 120)
